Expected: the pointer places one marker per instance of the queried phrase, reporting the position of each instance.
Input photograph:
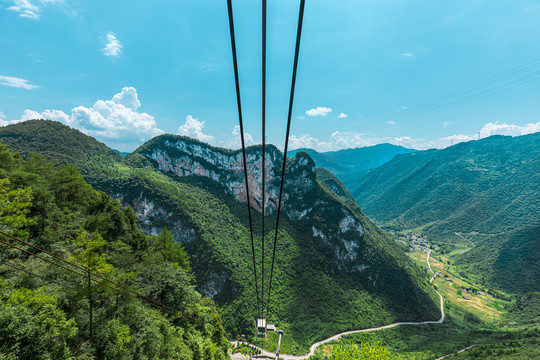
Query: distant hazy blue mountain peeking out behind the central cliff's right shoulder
(351, 163)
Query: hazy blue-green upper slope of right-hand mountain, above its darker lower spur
(489, 186)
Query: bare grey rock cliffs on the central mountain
(304, 199)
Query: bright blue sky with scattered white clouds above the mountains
(417, 73)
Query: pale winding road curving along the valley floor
(336, 337)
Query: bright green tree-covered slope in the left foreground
(45, 309)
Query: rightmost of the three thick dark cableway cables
(293, 83)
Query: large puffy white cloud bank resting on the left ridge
(116, 122)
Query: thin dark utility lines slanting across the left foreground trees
(125, 290)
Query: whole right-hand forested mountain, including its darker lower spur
(489, 189)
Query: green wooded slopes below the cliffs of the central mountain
(311, 300)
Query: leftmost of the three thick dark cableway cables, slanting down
(239, 105)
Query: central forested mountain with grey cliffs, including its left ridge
(335, 270)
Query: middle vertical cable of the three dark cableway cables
(263, 139)
